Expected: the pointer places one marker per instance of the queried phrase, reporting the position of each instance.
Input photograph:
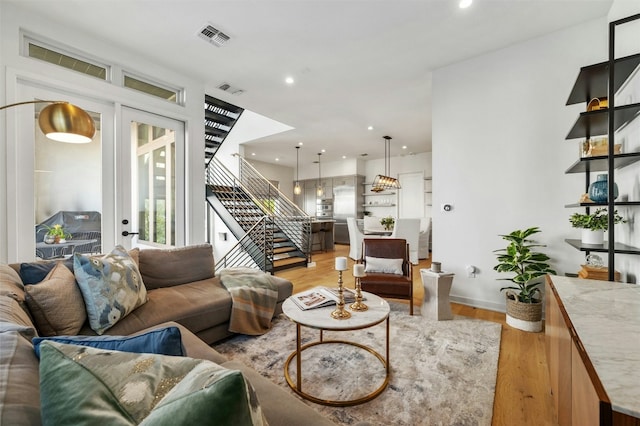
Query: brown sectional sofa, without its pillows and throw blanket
(182, 291)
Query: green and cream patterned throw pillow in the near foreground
(79, 385)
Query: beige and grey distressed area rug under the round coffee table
(442, 372)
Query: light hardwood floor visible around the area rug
(522, 390)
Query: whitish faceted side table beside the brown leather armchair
(435, 303)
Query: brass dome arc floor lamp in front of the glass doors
(63, 122)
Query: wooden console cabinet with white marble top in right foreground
(577, 339)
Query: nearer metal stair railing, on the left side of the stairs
(254, 230)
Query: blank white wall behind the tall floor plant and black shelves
(499, 149)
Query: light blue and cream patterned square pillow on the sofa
(111, 286)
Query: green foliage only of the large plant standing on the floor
(528, 265)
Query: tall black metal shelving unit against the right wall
(598, 81)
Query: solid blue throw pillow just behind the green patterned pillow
(161, 341)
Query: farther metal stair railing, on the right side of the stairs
(294, 223)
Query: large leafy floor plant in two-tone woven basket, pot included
(524, 301)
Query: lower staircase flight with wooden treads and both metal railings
(272, 232)
